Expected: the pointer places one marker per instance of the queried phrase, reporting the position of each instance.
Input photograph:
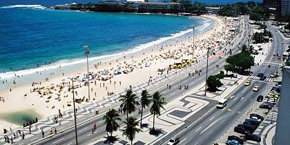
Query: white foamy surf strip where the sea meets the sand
(61, 64)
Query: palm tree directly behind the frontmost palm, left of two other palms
(129, 102)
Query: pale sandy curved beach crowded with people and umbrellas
(108, 76)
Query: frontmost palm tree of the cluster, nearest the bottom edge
(131, 128)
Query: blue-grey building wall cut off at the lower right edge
(283, 127)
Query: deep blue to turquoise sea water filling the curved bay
(31, 37)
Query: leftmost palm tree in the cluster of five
(111, 119)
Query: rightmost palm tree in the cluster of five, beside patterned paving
(158, 102)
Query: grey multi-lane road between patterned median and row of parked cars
(214, 124)
